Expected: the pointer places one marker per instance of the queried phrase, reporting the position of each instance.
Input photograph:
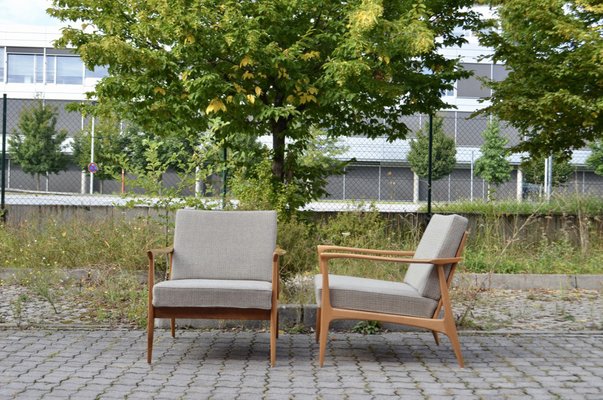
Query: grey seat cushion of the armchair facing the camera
(213, 293)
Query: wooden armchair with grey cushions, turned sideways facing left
(416, 302)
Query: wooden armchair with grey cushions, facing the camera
(223, 265)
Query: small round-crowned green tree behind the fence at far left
(36, 145)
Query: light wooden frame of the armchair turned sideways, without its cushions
(326, 313)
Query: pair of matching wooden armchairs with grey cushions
(224, 265)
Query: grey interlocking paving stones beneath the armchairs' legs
(111, 364)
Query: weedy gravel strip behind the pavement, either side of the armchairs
(488, 310)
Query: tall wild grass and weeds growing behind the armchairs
(114, 251)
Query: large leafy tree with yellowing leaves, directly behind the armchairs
(270, 67)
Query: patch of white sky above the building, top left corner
(26, 12)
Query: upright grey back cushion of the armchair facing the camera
(224, 245)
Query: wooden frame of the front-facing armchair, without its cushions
(211, 312)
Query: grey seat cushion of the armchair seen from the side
(355, 293)
